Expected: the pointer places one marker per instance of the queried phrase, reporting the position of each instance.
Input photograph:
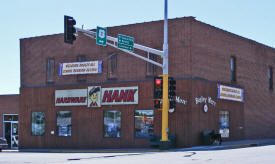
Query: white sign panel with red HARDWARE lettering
(72, 97)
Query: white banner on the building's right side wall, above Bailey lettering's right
(230, 93)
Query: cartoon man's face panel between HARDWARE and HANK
(94, 94)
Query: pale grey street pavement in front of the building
(249, 155)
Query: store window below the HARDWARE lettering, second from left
(64, 123)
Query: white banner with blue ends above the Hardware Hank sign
(88, 67)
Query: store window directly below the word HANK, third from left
(112, 124)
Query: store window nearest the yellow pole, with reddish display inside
(144, 123)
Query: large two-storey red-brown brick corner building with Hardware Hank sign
(224, 82)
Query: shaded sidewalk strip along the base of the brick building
(224, 145)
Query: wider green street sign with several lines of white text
(125, 42)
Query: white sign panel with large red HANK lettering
(119, 96)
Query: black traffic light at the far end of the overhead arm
(69, 29)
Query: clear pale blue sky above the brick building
(253, 19)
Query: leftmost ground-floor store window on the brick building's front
(38, 123)
